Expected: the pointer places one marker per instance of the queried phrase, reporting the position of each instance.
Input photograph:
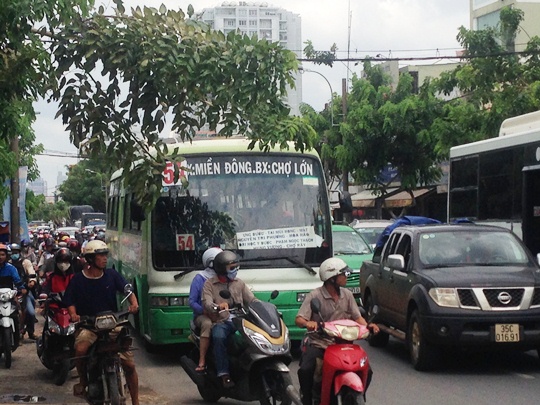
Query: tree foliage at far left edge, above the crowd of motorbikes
(25, 70)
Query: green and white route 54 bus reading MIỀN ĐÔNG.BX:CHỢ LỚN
(271, 208)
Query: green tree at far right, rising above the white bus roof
(496, 83)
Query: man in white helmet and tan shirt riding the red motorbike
(336, 303)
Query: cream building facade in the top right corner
(485, 13)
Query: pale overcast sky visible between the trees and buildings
(359, 28)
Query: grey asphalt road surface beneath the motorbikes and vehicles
(463, 379)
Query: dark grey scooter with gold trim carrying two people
(259, 353)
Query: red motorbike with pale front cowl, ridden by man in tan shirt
(345, 371)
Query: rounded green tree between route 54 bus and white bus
(385, 128)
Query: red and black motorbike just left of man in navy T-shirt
(55, 345)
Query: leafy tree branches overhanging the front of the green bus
(118, 77)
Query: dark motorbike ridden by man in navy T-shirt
(106, 380)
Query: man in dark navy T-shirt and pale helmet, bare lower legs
(91, 291)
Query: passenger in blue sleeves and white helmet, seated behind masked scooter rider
(201, 319)
